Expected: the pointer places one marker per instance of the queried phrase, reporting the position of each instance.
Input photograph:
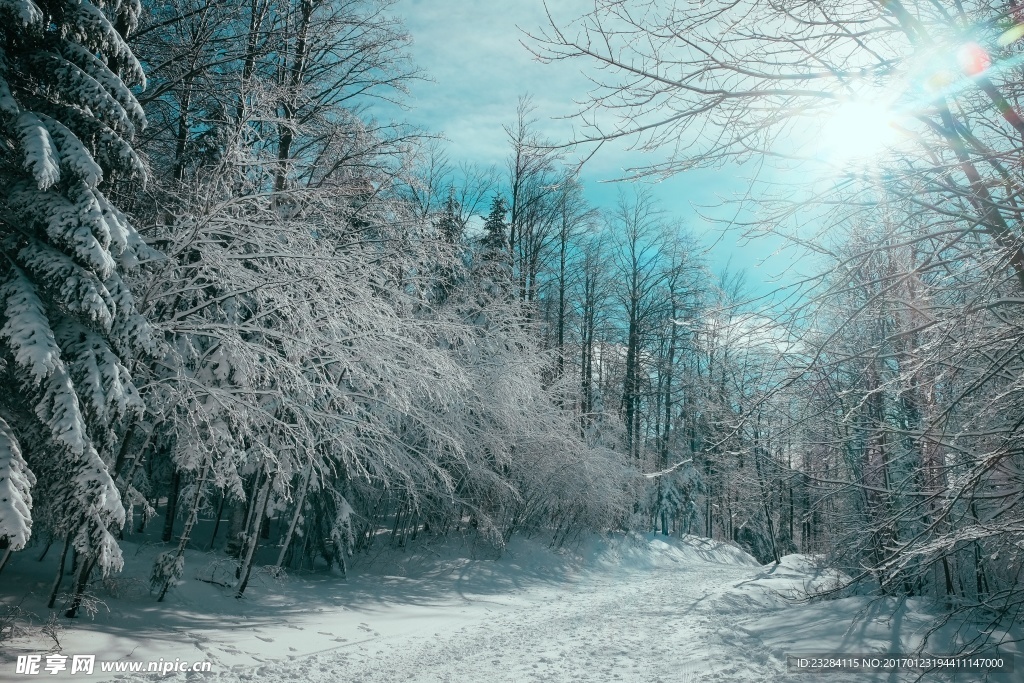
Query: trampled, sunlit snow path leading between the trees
(667, 626)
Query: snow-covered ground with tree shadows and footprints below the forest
(646, 610)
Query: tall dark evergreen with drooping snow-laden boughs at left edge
(68, 323)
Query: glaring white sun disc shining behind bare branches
(858, 134)
